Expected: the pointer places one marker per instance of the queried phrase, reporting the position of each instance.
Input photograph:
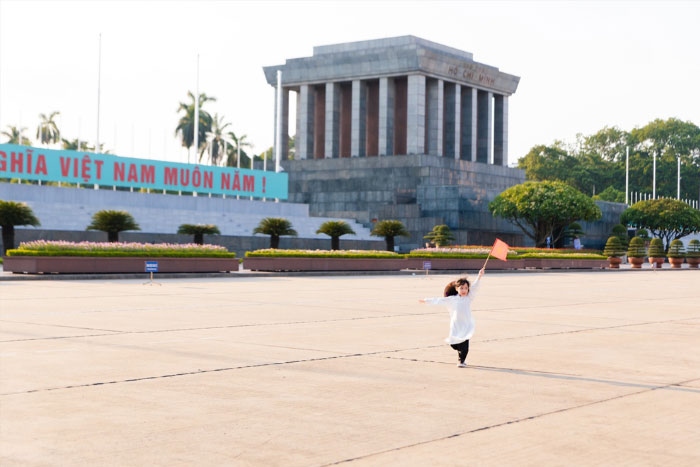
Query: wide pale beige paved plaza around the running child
(571, 368)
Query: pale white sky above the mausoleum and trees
(583, 65)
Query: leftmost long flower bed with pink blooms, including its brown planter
(88, 257)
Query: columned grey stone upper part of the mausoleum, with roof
(396, 96)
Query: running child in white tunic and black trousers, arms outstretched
(458, 298)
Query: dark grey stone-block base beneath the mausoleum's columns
(421, 191)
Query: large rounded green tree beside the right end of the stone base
(543, 209)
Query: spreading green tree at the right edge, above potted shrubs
(667, 219)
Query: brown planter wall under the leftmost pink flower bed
(93, 265)
